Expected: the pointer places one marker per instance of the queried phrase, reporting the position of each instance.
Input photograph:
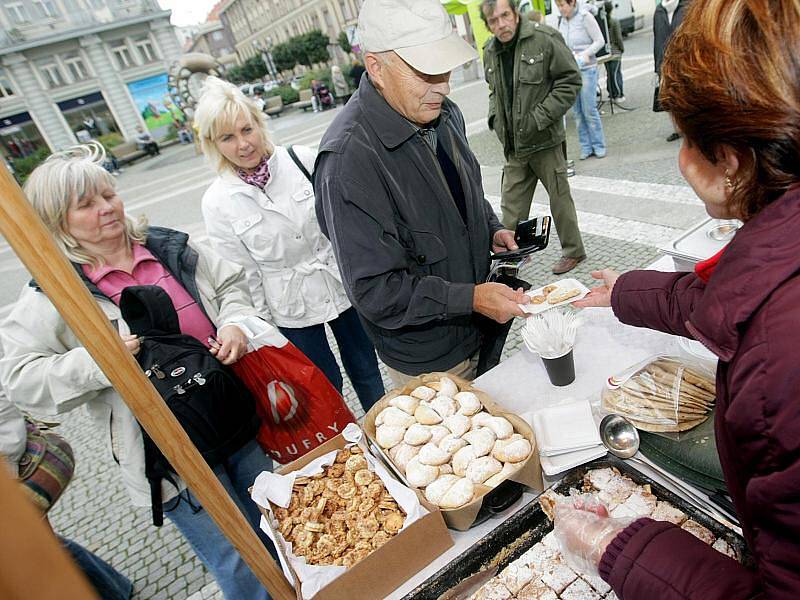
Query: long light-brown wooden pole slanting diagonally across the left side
(34, 245)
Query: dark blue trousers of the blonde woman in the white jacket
(355, 348)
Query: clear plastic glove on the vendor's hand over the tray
(583, 530)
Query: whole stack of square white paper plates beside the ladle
(567, 436)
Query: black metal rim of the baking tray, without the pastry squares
(512, 538)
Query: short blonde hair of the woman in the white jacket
(221, 103)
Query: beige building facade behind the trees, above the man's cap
(257, 24)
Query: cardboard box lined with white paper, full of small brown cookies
(338, 518)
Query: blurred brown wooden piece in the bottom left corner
(32, 564)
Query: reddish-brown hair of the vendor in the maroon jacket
(731, 77)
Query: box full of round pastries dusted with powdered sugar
(452, 443)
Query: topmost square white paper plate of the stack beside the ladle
(565, 427)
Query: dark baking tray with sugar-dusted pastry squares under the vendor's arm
(521, 557)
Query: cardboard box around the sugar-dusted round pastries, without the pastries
(529, 474)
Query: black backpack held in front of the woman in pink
(213, 406)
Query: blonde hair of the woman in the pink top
(67, 175)
